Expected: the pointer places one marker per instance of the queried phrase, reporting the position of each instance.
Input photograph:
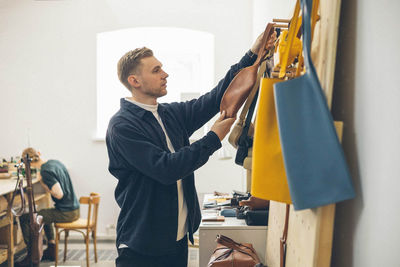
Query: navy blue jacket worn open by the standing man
(147, 171)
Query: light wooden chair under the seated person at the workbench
(81, 225)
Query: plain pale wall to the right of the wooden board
(366, 98)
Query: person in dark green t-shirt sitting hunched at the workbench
(55, 179)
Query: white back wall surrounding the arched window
(48, 74)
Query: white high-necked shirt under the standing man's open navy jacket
(182, 208)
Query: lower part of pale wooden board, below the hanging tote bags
(310, 233)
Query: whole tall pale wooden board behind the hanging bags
(310, 233)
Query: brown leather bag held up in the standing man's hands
(240, 86)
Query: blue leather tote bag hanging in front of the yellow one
(315, 165)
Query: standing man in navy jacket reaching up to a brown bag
(150, 155)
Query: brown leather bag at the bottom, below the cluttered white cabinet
(230, 253)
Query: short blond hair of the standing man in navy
(130, 63)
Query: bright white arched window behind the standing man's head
(187, 56)
